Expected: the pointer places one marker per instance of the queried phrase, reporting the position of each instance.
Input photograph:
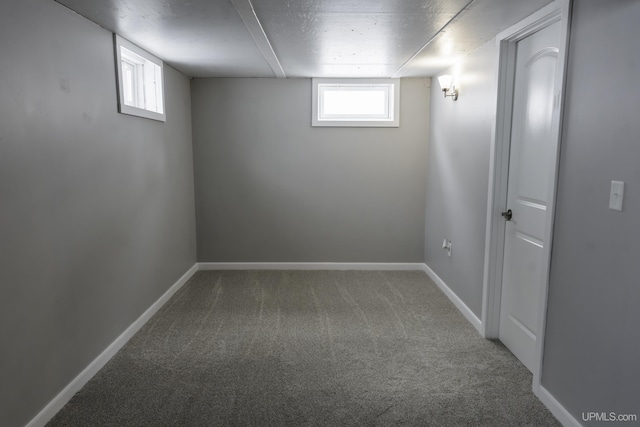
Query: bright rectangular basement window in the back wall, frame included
(356, 102)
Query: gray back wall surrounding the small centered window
(269, 187)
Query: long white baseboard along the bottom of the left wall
(53, 407)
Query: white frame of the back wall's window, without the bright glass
(391, 117)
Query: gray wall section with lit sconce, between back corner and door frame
(458, 175)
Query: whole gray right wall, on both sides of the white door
(592, 342)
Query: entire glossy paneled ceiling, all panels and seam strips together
(310, 38)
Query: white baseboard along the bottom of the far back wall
(393, 266)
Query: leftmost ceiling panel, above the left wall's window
(200, 37)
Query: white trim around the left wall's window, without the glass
(145, 56)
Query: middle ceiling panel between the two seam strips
(355, 38)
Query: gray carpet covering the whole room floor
(301, 348)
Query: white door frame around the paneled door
(558, 11)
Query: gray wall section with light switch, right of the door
(592, 345)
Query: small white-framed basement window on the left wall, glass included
(140, 81)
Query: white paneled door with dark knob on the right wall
(531, 158)
